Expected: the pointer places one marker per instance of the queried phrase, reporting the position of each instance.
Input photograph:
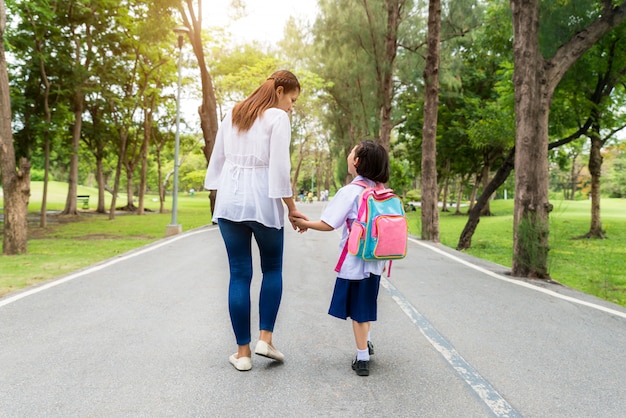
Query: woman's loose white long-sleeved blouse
(250, 170)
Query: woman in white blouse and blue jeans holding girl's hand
(250, 167)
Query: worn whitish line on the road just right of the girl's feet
(487, 393)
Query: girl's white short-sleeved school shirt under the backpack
(341, 208)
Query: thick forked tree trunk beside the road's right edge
(535, 79)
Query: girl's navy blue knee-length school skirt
(356, 299)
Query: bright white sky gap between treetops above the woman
(265, 20)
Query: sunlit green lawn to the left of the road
(67, 243)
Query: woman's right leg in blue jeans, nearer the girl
(270, 241)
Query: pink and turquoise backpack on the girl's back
(380, 230)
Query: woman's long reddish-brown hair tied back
(264, 97)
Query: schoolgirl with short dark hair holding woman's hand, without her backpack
(358, 281)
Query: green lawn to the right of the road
(589, 265)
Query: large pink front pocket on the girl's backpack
(392, 232)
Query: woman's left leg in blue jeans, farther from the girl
(237, 238)
